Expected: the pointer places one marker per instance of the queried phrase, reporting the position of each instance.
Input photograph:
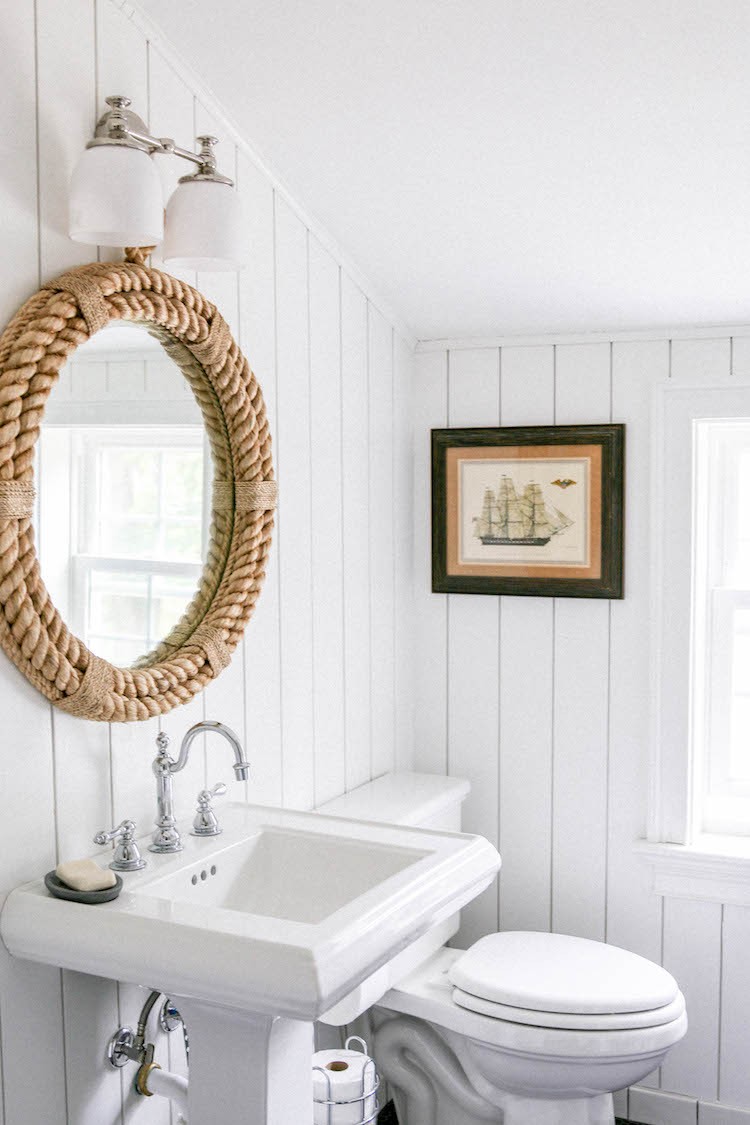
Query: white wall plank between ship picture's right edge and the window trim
(634, 913)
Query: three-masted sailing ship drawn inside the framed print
(521, 521)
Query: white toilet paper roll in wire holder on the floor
(344, 1077)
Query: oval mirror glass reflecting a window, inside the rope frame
(123, 510)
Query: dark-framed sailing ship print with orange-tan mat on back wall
(532, 511)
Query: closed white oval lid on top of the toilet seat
(561, 974)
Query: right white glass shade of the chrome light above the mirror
(204, 228)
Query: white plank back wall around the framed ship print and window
(544, 704)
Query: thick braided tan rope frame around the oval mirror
(34, 347)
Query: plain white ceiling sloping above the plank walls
(504, 166)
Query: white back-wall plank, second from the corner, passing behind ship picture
(473, 663)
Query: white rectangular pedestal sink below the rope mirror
(256, 934)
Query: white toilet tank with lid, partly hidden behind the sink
(414, 800)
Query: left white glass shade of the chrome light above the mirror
(116, 199)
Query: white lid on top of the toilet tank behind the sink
(403, 798)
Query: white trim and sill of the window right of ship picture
(686, 863)
